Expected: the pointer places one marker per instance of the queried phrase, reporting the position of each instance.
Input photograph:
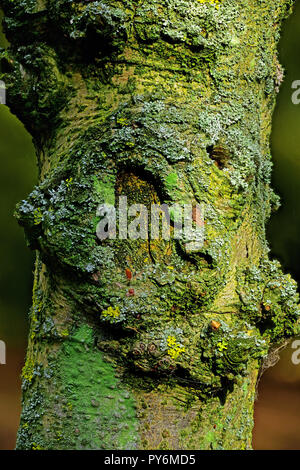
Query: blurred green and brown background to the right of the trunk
(277, 413)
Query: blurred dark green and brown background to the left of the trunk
(18, 175)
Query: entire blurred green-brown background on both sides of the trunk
(277, 411)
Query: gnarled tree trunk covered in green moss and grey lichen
(148, 344)
